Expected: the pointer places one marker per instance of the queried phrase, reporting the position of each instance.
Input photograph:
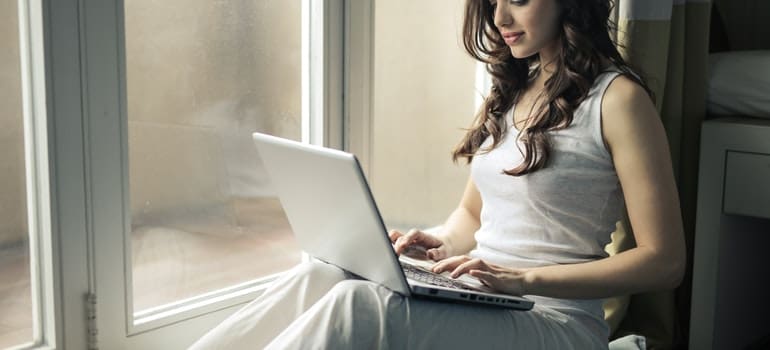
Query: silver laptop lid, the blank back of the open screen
(330, 208)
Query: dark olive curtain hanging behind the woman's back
(667, 42)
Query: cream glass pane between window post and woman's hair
(423, 96)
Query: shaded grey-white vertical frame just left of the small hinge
(61, 41)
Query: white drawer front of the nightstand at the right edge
(747, 184)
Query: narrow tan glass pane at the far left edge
(15, 293)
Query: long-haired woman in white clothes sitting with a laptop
(567, 135)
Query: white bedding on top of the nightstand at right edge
(739, 83)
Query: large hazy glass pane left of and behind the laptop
(201, 77)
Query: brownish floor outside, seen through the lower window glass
(171, 263)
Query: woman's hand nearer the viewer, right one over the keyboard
(501, 279)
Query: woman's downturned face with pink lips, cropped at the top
(528, 26)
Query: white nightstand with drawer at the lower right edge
(731, 272)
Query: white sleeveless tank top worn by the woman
(561, 214)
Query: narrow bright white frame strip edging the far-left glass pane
(41, 244)
